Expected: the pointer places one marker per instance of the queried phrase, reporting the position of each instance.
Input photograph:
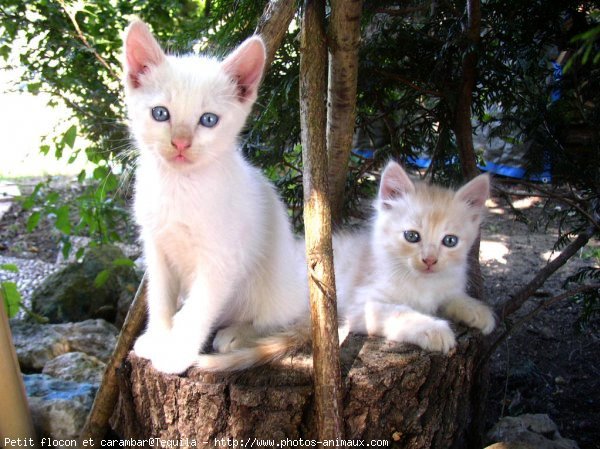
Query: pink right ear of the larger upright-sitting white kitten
(245, 65)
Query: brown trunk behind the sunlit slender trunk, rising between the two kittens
(344, 38)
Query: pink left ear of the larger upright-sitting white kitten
(141, 52)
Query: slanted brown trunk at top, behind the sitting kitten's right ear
(273, 25)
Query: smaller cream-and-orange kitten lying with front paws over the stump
(412, 263)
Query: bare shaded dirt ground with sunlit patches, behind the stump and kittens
(546, 366)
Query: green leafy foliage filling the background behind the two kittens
(409, 82)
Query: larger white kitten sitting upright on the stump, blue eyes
(217, 241)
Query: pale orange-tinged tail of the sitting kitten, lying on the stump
(265, 350)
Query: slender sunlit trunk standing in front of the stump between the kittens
(317, 222)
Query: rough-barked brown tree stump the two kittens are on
(393, 392)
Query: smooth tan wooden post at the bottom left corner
(16, 426)
